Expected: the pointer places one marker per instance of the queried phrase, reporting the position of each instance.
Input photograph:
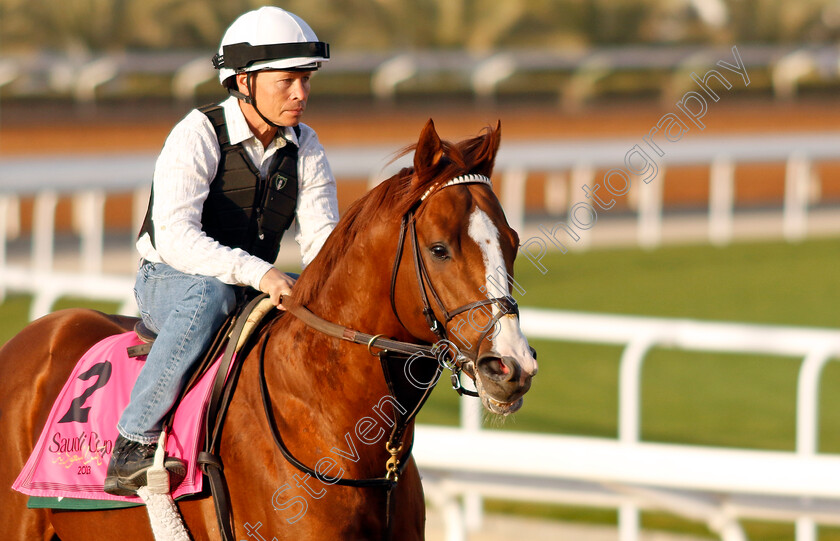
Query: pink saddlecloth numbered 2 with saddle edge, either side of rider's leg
(67, 466)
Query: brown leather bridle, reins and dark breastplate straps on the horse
(390, 349)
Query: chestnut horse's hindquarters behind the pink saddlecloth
(33, 368)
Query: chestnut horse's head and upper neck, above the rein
(450, 279)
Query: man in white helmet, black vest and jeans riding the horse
(229, 181)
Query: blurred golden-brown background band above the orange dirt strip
(571, 51)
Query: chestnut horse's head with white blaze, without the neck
(461, 249)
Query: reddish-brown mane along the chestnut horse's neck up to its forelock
(392, 198)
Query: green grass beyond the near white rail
(697, 398)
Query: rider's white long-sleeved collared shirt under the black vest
(183, 173)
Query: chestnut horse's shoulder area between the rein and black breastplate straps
(328, 394)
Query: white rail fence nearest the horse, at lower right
(717, 486)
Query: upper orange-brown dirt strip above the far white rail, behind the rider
(133, 130)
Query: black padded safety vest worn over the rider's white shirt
(244, 210)
